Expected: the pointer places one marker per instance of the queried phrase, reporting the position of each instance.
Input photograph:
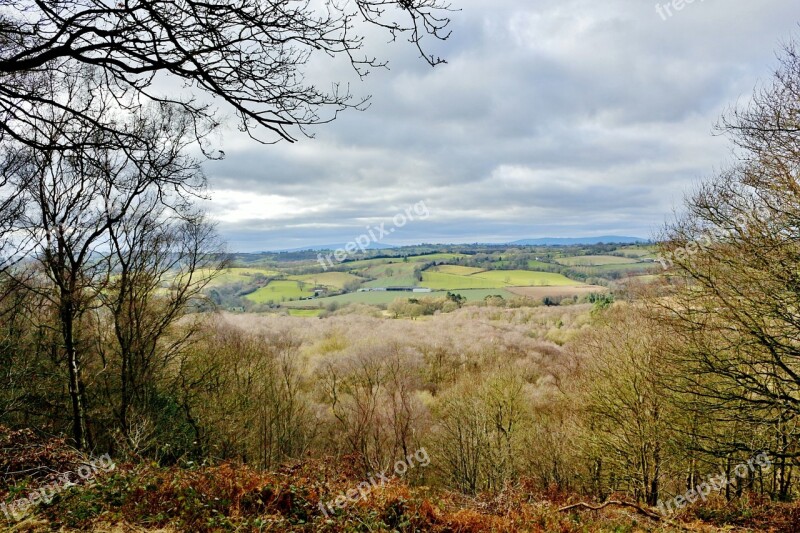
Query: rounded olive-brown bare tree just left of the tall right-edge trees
(631, 422)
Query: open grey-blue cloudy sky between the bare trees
(552, 118)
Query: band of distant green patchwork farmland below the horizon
(537, 274)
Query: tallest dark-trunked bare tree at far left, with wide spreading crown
(72, 187)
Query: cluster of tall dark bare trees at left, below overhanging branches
(103, 254)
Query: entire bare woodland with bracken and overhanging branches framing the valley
(110, 344)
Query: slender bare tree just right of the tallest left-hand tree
(161, 260)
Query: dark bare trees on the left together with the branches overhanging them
(103, 250)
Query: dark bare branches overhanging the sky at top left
(249, 54)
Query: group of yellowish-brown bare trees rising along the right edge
(705, 376)
